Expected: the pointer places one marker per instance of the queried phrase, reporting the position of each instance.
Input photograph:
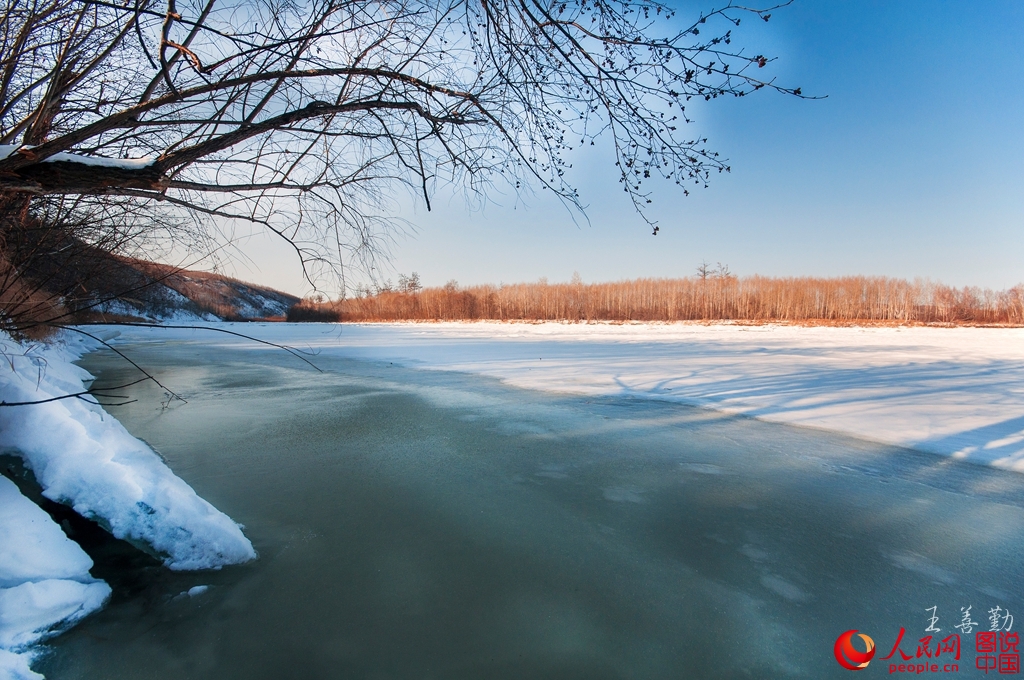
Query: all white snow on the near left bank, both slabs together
(84, 458)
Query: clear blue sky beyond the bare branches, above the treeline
(914, 166)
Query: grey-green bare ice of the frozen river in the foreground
(434, 525)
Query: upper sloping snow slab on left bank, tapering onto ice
(84, 458)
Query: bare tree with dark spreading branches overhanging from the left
(309, 117)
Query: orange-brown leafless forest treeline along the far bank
(701, 299)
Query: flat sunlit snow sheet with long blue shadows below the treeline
(956, 392)
